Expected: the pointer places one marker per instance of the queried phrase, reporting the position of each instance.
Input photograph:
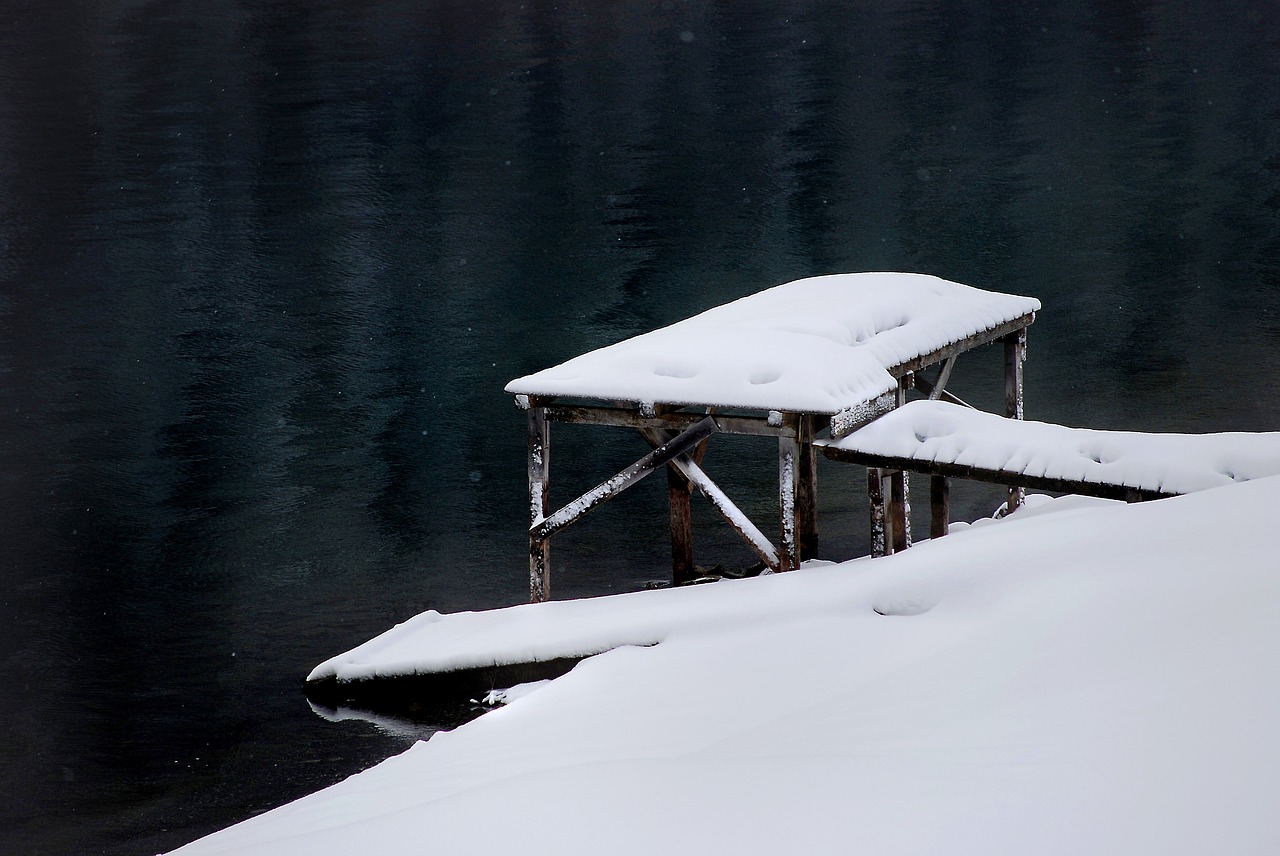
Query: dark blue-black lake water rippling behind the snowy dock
(267, 267)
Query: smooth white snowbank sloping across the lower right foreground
(1103, 681)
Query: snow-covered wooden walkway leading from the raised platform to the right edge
(936, 437)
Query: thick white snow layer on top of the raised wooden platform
(815, 346)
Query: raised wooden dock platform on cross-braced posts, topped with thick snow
(783, 364)
